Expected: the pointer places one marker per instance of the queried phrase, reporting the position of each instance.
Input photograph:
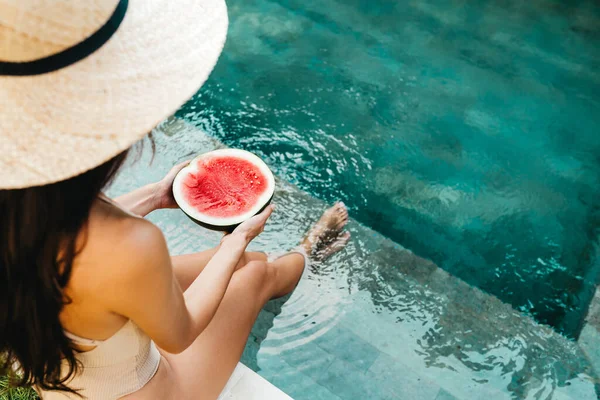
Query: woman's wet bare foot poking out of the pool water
(326, 237)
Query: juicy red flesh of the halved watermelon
(224, 186)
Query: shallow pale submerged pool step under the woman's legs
(377, 321)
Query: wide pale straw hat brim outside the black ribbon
(61, 124)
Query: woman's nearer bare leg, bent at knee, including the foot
(203, 369)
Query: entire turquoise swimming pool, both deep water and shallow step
(464, 132)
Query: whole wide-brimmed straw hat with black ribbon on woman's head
(82, 80)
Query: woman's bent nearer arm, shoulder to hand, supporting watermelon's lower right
(146, 289)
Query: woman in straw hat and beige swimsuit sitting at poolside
(92, 304)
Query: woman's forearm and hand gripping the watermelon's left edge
(152, 197)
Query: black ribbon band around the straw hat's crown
(70, 55)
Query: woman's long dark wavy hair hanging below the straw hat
(40, 229)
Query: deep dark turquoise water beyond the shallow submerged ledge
(464, 131)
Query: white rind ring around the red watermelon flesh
(207, 219)
